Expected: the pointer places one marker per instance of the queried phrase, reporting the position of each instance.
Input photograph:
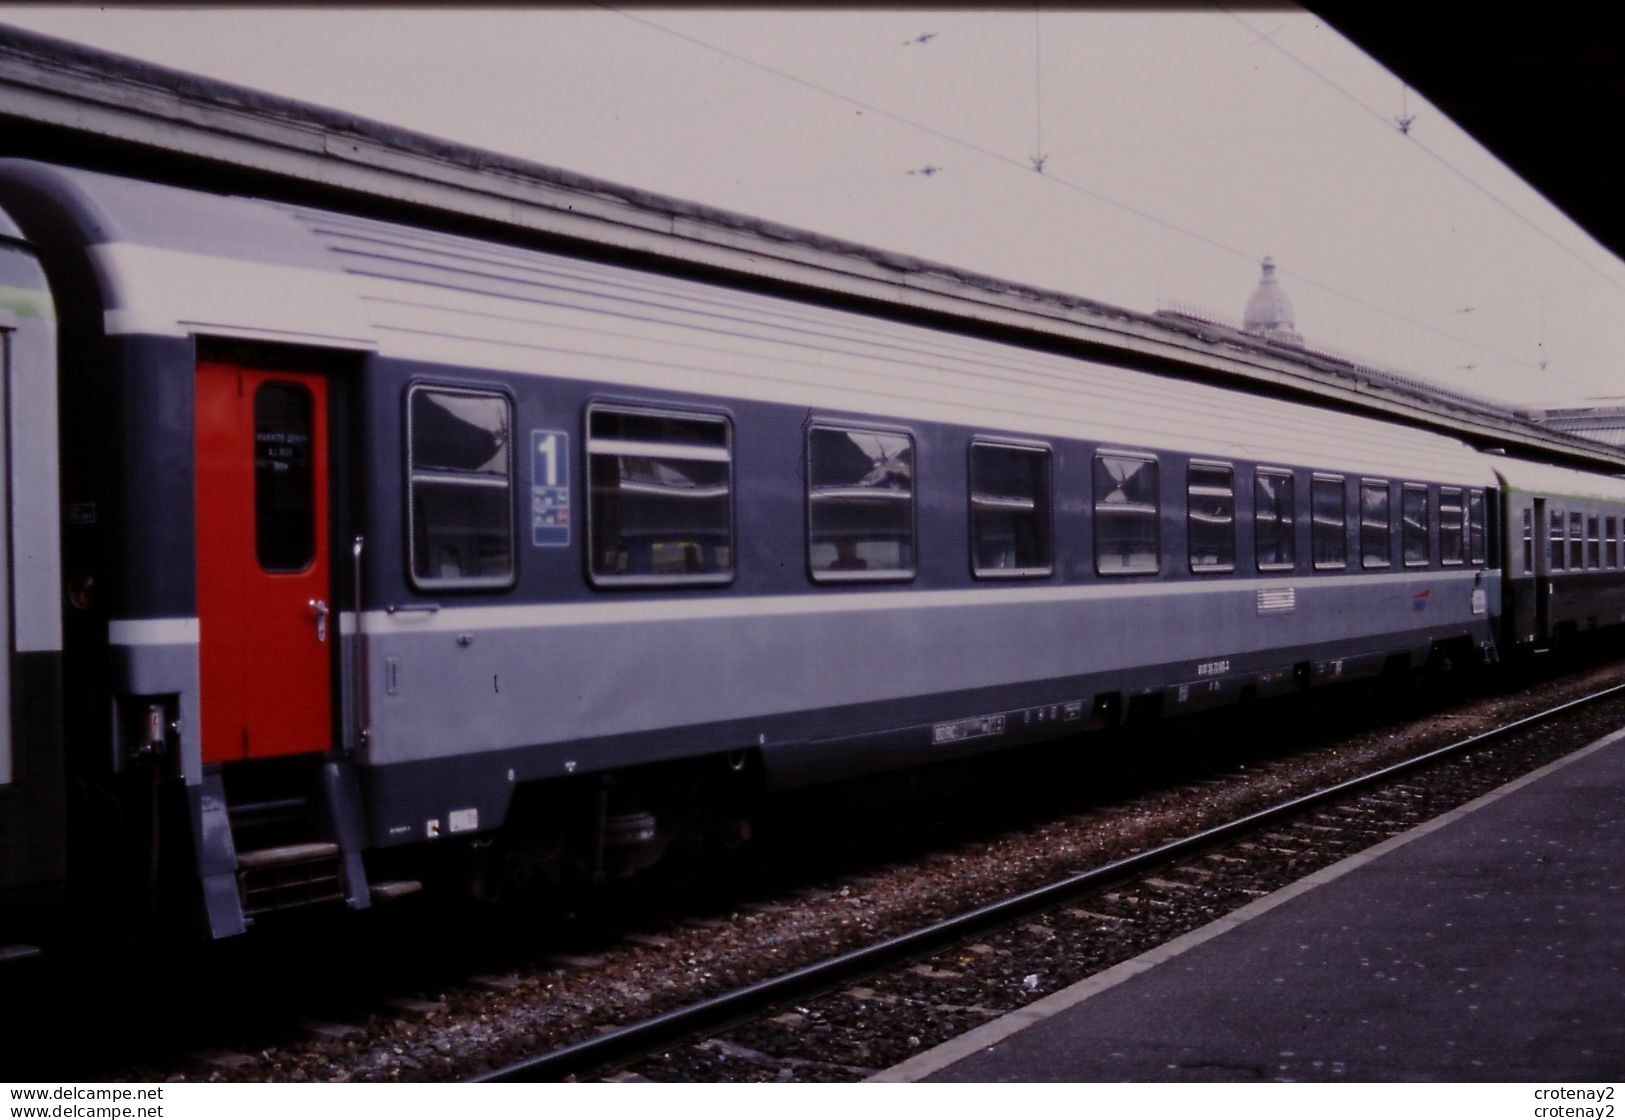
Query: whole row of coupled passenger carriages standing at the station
(381, 542)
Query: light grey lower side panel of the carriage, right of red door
(444, 692)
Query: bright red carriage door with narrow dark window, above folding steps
(264, 586)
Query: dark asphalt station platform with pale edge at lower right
(1488, 945)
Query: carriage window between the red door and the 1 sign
(462, 506)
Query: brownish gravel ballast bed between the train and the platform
(417, 996)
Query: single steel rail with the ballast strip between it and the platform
(856, 1014)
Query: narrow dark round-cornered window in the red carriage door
(284, 479)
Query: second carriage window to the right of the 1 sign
(860, 505)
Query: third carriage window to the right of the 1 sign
(1010, 511)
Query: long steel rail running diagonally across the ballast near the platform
(649, 1033)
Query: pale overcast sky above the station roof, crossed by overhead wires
(1182, 149)
